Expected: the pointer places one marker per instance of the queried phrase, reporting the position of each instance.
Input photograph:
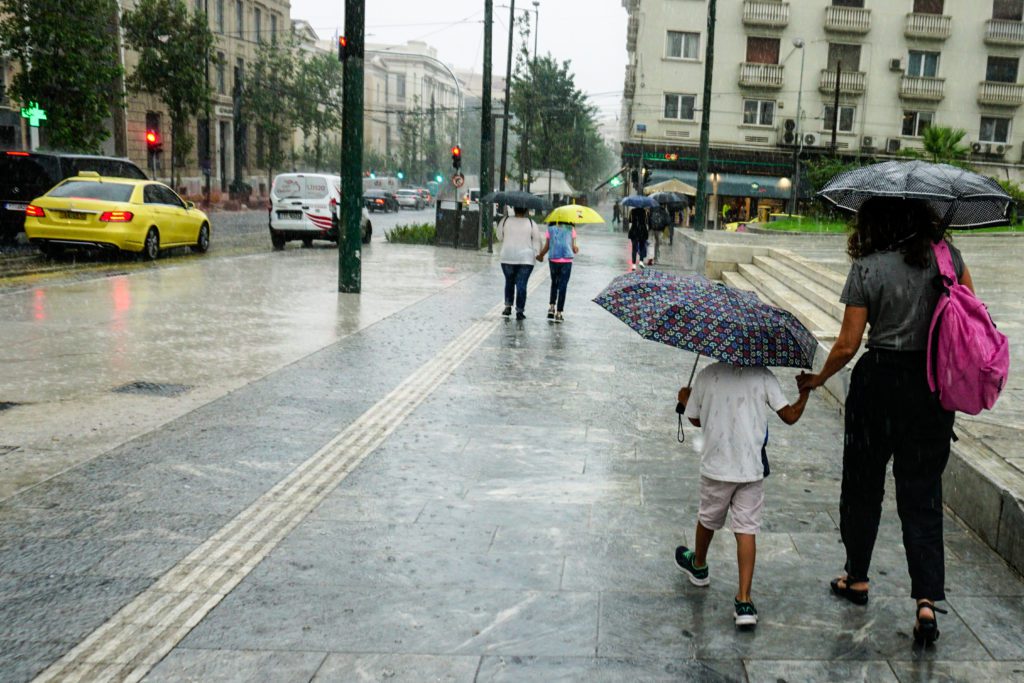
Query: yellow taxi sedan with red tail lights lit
(94, 211)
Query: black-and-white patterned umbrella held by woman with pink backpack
(961, 199)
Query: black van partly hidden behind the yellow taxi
(26, 176)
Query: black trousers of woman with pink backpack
(890, 413)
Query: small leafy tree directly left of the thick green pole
(318, 101)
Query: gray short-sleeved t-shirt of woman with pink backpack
(900, 298)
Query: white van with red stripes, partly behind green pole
(305, 206)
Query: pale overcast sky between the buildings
(591, 34)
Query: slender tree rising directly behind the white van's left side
(269, 98)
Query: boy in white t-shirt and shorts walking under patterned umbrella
(731, 404)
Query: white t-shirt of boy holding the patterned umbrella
(733, 405)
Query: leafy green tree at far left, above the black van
(68, 54)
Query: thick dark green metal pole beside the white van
(350, 238)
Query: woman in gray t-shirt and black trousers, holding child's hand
(890, 412)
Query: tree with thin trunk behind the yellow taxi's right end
(173, 51)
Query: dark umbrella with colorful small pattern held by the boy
(711, 320)
